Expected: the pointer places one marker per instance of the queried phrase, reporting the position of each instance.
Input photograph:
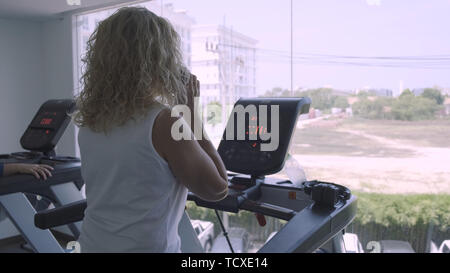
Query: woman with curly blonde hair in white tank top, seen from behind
(136, 174)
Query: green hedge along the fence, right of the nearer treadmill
(411, 218)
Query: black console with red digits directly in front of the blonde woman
(258, 134)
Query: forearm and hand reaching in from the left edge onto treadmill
(38, 170)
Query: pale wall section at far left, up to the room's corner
(21, 79)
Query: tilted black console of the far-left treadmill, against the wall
(47, 126)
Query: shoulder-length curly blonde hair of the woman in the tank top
(133, 61)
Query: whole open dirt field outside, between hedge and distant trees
(371, 155)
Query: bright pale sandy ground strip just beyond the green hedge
(426, 170)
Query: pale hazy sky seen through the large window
(355, 28)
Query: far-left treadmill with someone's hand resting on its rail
(22, 195)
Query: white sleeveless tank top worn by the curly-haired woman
(134, 202)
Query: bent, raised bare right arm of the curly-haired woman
(195, 163)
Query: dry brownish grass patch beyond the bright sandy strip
(329, 140)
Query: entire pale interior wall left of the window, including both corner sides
(35, 65)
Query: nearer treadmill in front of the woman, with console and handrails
(255, 144)
